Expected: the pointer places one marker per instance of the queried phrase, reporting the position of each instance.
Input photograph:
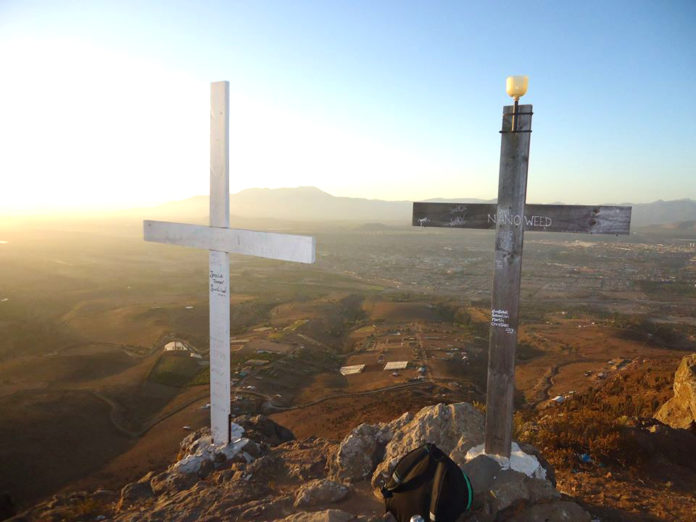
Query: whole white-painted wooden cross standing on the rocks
(221, 240)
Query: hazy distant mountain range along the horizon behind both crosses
(312, 204)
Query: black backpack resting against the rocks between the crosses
(427, 482)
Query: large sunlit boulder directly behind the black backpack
(454, 428)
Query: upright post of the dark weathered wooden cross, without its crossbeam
(512, 191)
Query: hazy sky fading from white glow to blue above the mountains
(105, 103)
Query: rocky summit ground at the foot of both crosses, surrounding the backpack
(264, 474)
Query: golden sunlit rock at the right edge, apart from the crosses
(680, 410)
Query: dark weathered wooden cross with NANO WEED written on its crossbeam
(510, 218)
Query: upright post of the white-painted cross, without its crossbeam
(219, 264)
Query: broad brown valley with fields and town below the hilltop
(90, 398)
